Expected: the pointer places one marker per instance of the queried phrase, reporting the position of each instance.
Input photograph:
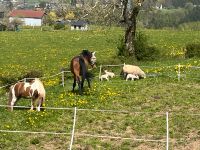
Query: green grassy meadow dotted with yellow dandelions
(146, 100)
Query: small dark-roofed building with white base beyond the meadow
(79, 25)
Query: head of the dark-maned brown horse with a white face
(90, 56)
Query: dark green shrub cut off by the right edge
(192, 50)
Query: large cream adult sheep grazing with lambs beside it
(131, 69)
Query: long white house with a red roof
(28, 17)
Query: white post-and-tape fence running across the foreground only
(74, 134)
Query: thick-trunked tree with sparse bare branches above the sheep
(109, 9)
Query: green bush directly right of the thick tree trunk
(143, 51)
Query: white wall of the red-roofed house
(29, 21)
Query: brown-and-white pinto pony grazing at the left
(33, 89)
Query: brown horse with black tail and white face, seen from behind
(79, 68)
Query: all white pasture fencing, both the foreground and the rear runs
(73, 133)
